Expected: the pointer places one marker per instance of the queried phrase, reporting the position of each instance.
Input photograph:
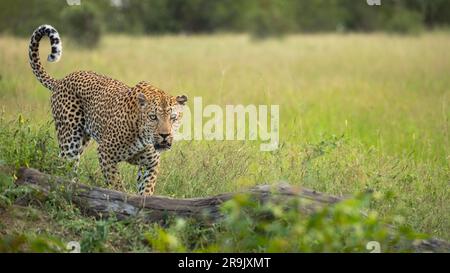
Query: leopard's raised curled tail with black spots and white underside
(54, 56)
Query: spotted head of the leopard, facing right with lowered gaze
(161, 114)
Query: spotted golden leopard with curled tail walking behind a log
(133, 124)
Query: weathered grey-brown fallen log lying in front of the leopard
(101, 202)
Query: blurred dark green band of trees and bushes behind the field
(260, 18)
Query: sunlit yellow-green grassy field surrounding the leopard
(357, 112)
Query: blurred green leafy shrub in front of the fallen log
(251, 227)
